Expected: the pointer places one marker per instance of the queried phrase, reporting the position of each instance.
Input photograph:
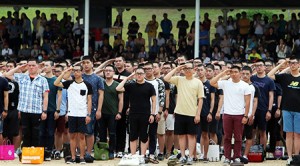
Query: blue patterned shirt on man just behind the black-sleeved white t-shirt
(97, 84)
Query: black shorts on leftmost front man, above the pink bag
(11, 124)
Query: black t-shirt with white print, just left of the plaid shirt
(13, 92)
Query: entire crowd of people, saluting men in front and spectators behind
(51, 94)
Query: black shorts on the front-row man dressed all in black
(138, 127)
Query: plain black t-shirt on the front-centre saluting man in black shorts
(139, 97)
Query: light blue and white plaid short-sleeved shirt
(31, 93)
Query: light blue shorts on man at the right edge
(291, 121)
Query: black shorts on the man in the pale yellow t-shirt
(185, 125)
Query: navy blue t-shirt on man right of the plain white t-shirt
(265, 85)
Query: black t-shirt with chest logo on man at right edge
(290, 91)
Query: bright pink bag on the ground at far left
(7, 151)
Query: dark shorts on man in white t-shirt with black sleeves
(77, 124)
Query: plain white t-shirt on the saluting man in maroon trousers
(234, 101)
